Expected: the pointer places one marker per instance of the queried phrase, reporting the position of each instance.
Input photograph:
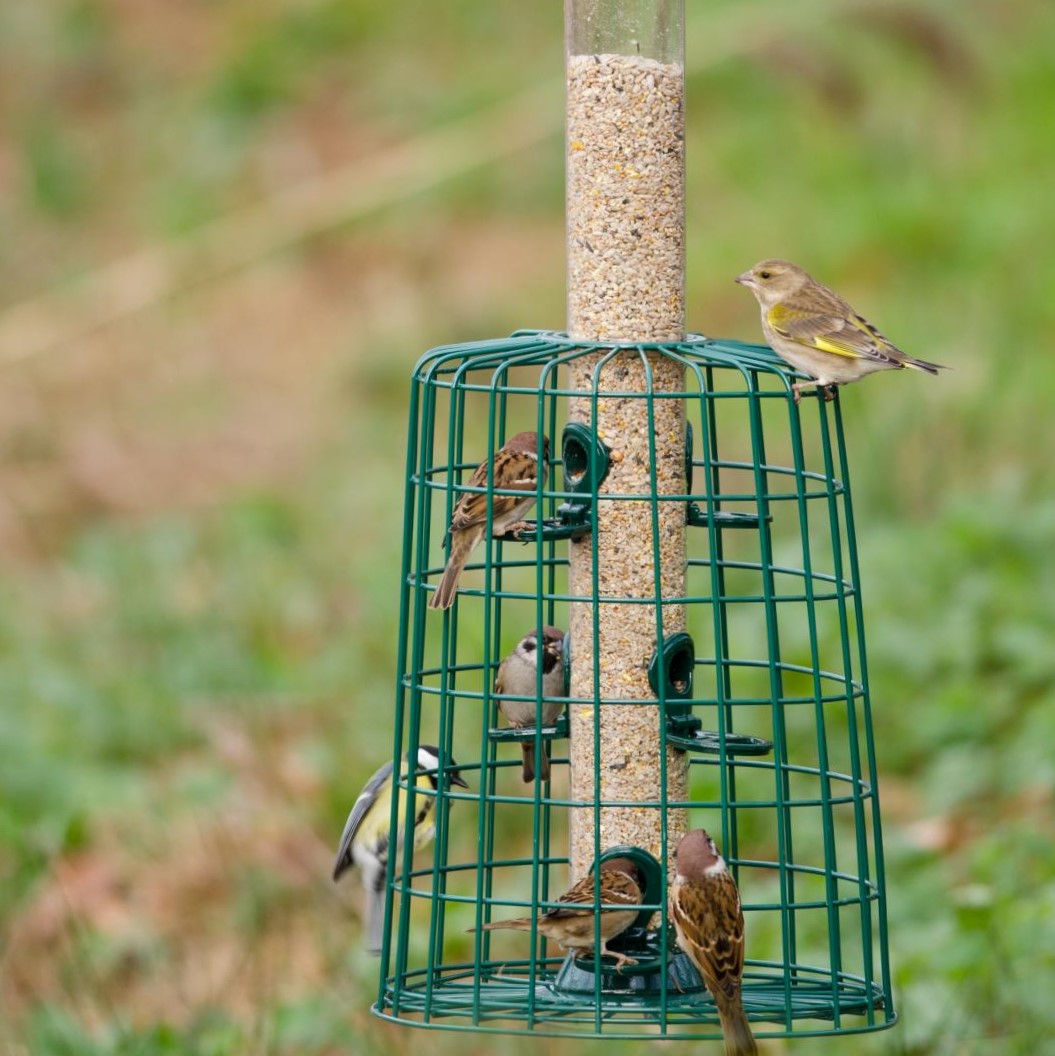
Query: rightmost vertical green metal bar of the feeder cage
(868, 952)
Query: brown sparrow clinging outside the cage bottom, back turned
(706, 910)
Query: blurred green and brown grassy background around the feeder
(206, 351)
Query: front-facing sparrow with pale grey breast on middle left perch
(518, 676)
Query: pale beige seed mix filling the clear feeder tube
(626, 184)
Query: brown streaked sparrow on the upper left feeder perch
(517, 468)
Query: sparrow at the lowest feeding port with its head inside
(573, 926)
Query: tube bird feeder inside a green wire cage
(695, 538)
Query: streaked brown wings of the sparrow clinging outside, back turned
(711, 932)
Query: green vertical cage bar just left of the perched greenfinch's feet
(785, 843)
